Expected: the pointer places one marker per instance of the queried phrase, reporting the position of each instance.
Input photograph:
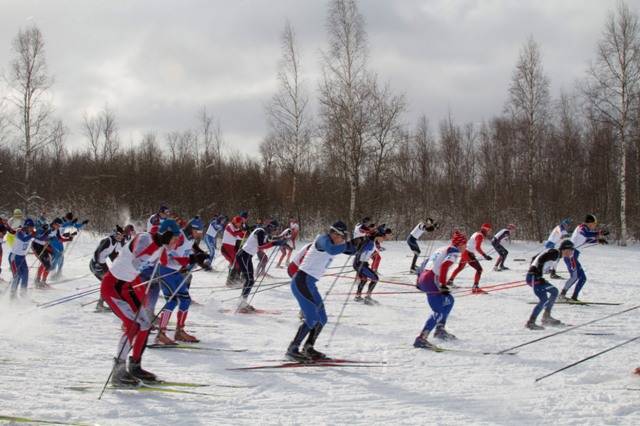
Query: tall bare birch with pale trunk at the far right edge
(612, 88)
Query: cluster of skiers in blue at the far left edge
(46, 240)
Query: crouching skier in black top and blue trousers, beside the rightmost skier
(541, 287)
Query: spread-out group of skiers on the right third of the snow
(432, 275)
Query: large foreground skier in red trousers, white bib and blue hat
(126, 299)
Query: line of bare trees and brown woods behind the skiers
(537, 161)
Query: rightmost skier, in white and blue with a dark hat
(584, 234)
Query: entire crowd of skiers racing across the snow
(164, 256)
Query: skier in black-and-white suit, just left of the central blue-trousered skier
(259, 239)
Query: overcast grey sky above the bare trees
(156, 63)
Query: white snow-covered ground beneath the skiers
(54, 361)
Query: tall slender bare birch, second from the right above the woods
(528, 104)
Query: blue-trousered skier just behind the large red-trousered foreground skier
(175, 281)
